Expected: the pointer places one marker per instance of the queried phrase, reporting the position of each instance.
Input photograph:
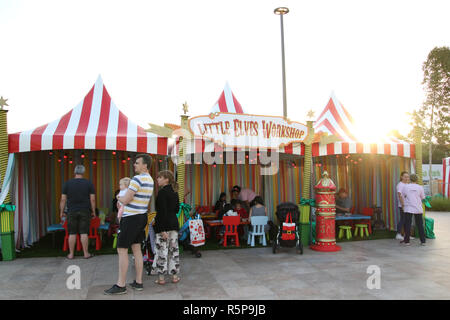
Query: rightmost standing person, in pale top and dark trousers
(413, 195)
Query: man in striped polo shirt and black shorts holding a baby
(131, 231)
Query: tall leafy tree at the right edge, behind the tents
(435, 109)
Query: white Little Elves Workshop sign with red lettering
(245, 130)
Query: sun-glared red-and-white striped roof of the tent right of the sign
(336, 120)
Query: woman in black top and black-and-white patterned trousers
(166, 227)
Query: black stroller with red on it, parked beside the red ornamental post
(282, 212)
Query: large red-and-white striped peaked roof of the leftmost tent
(95, 123)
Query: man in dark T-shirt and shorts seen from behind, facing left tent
(79, 194)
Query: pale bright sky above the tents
(155, 55)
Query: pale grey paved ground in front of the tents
(413, 272)
